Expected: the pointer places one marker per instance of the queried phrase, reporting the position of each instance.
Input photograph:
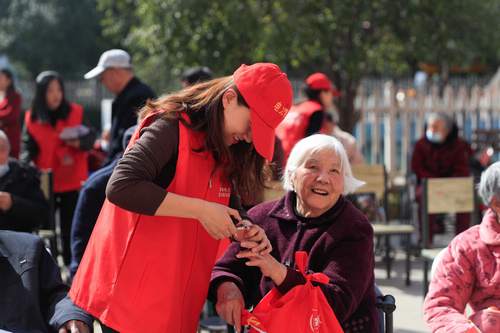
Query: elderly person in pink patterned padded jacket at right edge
(468, 271)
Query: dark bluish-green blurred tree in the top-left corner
(51, 34)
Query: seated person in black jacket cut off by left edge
(23, 206)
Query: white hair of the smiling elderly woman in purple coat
(312, 145)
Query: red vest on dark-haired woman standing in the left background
(69, 165)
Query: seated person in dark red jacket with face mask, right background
(441, 153)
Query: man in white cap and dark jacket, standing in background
(114, 70)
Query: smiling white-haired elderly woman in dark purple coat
(313, 216)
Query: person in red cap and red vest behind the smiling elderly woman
(307, 117)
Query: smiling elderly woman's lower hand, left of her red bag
(230, 302)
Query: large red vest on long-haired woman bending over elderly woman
(151, 273)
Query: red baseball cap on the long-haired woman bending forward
(269, 95)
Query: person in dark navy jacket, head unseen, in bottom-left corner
(33, 296)
